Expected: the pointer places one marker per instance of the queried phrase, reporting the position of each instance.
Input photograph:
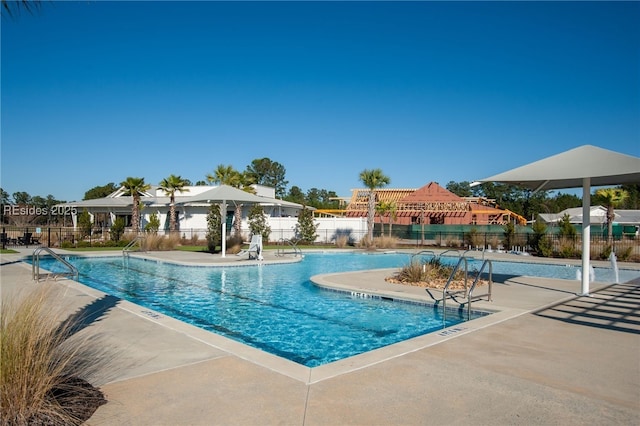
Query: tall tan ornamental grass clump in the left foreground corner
(45, 367)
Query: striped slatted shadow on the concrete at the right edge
(616, 307)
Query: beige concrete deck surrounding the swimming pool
(546, 356)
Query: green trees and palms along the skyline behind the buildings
(267, 172)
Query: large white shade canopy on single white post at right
(583, 167)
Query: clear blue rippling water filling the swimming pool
(276, 308)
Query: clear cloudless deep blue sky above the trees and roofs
(94, 92)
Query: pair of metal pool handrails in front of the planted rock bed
(467, 293)
